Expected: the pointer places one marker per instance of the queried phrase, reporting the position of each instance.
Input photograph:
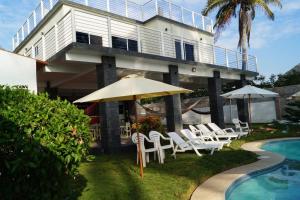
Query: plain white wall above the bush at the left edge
(17, 70)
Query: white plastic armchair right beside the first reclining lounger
(156, 137)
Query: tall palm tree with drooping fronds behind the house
(247, 9)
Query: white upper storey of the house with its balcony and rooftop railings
(190, 39)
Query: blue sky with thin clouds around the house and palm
(275, 43)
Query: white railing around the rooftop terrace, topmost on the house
(127, 8)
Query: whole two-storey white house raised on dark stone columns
(89, 44)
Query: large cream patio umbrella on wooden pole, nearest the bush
(133, 87)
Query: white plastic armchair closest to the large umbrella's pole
(145, 151)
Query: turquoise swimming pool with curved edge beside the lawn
(281, 182)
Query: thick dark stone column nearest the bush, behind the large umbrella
(109, 112)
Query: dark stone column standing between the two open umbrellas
(215, 100)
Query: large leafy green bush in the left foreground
(42, 143)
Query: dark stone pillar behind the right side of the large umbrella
(173, 102)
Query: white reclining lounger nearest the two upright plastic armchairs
(183, 146)
